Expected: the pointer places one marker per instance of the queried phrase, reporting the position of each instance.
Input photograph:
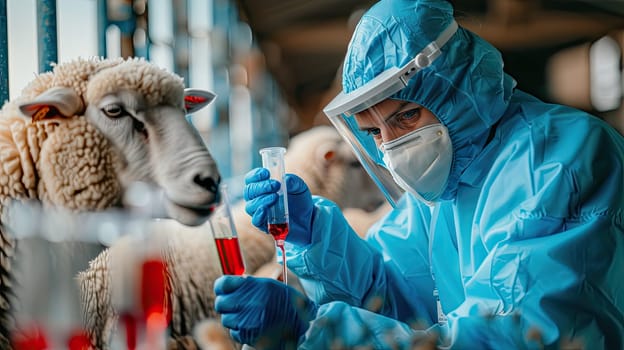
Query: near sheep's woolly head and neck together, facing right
(79, 135)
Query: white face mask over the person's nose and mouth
(420, 161)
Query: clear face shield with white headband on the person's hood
(363, 106)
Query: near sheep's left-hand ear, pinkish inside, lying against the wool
(55, 102)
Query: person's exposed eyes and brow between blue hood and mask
(391, 119)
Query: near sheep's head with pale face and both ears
(140, 109)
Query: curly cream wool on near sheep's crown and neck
(64, 161)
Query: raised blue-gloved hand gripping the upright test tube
(261, 193)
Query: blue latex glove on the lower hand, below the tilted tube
(262, 312)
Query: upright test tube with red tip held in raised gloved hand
(273, 159)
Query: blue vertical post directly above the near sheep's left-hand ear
(46, 34)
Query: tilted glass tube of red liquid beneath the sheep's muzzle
(225, 236)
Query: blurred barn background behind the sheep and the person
(274, 64)
